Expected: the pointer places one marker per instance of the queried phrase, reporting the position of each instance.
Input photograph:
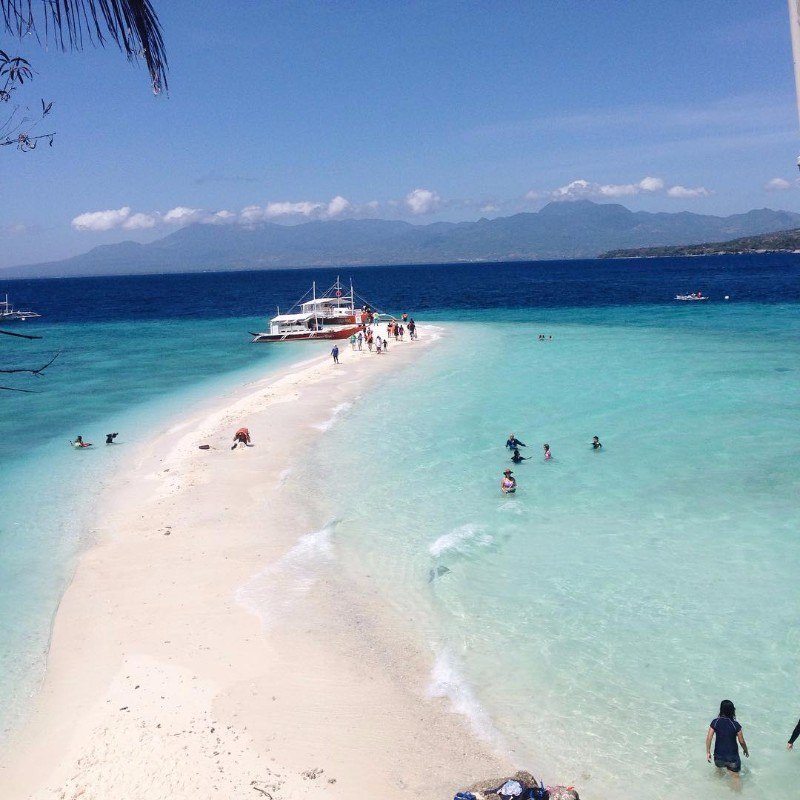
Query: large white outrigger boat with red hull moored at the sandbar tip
(332, 315)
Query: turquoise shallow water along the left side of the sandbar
(130, 377)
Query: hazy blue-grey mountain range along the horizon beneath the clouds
(580, 229)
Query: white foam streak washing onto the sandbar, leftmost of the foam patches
(271, 593)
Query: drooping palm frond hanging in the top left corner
(132, 24)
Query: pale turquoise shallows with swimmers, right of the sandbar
(593, 622)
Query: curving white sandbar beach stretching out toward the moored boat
(161, 680)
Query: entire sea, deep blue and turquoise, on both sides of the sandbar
(593, 622)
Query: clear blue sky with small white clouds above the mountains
(424, 111)
